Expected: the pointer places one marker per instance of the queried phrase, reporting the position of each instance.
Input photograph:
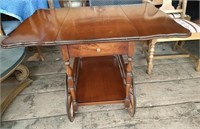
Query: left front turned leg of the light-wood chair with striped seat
(151, 55)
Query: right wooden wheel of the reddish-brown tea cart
(132, 98)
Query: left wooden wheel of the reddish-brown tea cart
(69, 104)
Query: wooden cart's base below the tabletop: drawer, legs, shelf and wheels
(99, 75)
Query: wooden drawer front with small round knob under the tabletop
(98, 49)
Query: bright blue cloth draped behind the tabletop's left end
(22, 9)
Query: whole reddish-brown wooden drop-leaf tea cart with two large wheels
(96, 37)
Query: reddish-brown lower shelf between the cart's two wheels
(99, 81)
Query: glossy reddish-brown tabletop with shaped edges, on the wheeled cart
(94, 24)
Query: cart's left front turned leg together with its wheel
(71, 104)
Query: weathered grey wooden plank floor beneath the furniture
(169, 98)
